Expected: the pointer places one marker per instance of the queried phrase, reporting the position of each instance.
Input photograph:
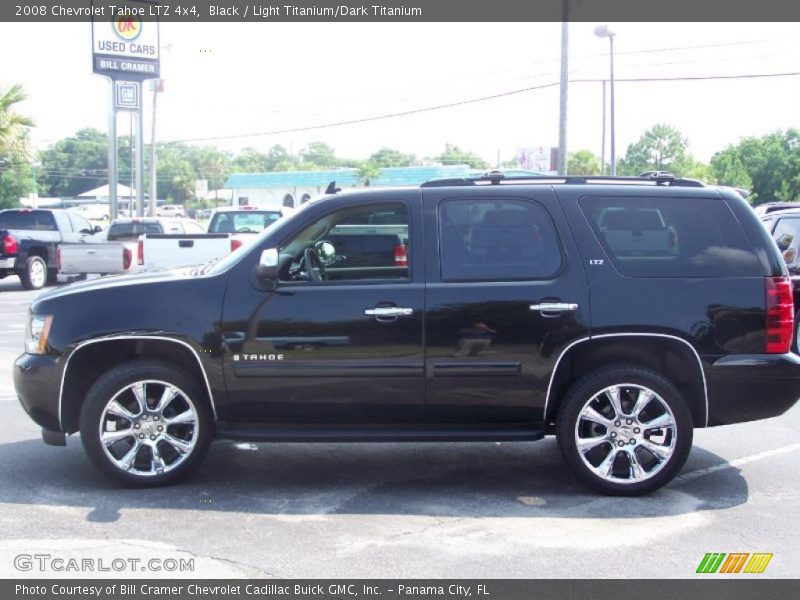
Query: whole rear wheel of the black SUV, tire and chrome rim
(624, 430)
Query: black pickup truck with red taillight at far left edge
(29, 239)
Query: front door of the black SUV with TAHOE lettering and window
(340, 339)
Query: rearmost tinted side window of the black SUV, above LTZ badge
(672, 237)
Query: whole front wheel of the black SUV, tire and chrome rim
(144, 423)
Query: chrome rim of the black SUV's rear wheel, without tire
(626, 433)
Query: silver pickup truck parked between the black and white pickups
(120, 251)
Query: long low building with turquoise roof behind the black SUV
(293, 188)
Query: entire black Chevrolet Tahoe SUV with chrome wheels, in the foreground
(617, 314)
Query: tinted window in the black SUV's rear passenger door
(490, 240)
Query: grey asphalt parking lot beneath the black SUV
(395, 510)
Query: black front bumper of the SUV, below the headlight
(37, 379)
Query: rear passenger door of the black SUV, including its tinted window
(505, 297)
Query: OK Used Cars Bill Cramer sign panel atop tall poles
(125, 45)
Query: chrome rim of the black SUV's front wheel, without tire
(149, 428)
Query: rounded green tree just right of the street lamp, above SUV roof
(661, 148)
